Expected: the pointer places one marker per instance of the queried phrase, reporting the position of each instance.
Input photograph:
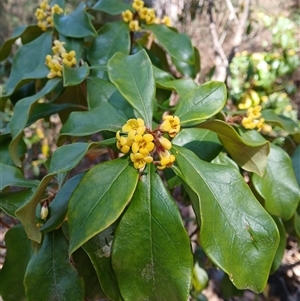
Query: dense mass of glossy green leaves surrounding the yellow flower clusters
(114, 231)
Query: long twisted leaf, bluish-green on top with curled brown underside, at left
(64, 159)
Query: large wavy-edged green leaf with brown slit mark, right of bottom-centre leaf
(236, 232)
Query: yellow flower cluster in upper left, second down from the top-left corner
(60, 57)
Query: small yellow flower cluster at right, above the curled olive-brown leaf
(252, 120)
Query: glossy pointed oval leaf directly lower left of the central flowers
(99, 200)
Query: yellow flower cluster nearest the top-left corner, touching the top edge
(44, 14)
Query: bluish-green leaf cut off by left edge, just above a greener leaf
(12, 176)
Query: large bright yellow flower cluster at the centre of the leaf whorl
(145, 143)
